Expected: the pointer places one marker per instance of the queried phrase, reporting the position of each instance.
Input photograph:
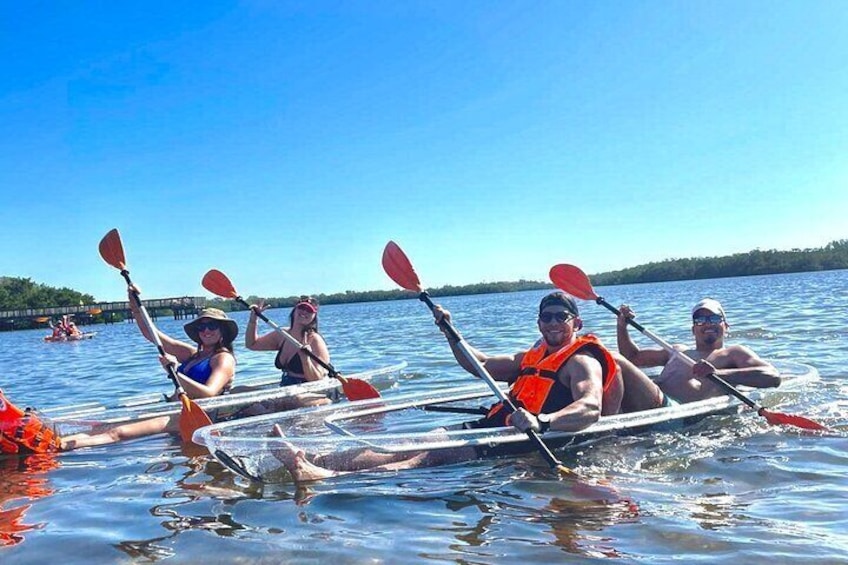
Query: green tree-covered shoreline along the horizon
(22, 293)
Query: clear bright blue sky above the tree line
(286, 142)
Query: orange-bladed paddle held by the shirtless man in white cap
(574, 281)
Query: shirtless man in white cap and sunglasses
(736, 364)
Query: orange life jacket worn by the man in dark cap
(537, 388)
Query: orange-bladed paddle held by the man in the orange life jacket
(397, 266)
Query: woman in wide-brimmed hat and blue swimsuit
(205, 368)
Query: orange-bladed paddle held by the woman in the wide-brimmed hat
(192, 416)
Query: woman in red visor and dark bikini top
(296, 365)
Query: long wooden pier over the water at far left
(179, 307)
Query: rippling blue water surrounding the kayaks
(733, 490)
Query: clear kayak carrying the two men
(400, 425)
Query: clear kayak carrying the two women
(79, 417)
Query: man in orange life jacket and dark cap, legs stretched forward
(565, 382)
